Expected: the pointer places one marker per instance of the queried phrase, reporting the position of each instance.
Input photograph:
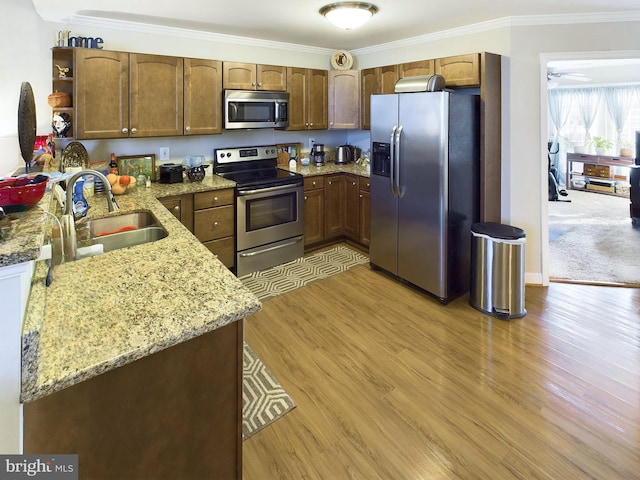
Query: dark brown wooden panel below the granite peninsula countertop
(122, 424)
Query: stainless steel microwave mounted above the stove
(249, 109)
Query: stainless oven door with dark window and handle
(267, 215)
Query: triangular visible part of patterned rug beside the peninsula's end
(264, 400)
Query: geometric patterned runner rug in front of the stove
(297, 273)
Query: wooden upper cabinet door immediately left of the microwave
(202, 97)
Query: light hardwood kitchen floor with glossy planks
(392, 385)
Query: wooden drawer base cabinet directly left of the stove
(214, 223)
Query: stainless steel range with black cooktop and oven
(269, 207)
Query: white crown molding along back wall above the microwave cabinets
(138, 27)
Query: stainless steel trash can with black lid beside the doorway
(497, 270)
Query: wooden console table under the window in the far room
(597, 172)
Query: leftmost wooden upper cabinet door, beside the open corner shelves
(101, 95)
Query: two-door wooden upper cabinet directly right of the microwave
(308, 98)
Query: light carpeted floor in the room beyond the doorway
(593, 240)
